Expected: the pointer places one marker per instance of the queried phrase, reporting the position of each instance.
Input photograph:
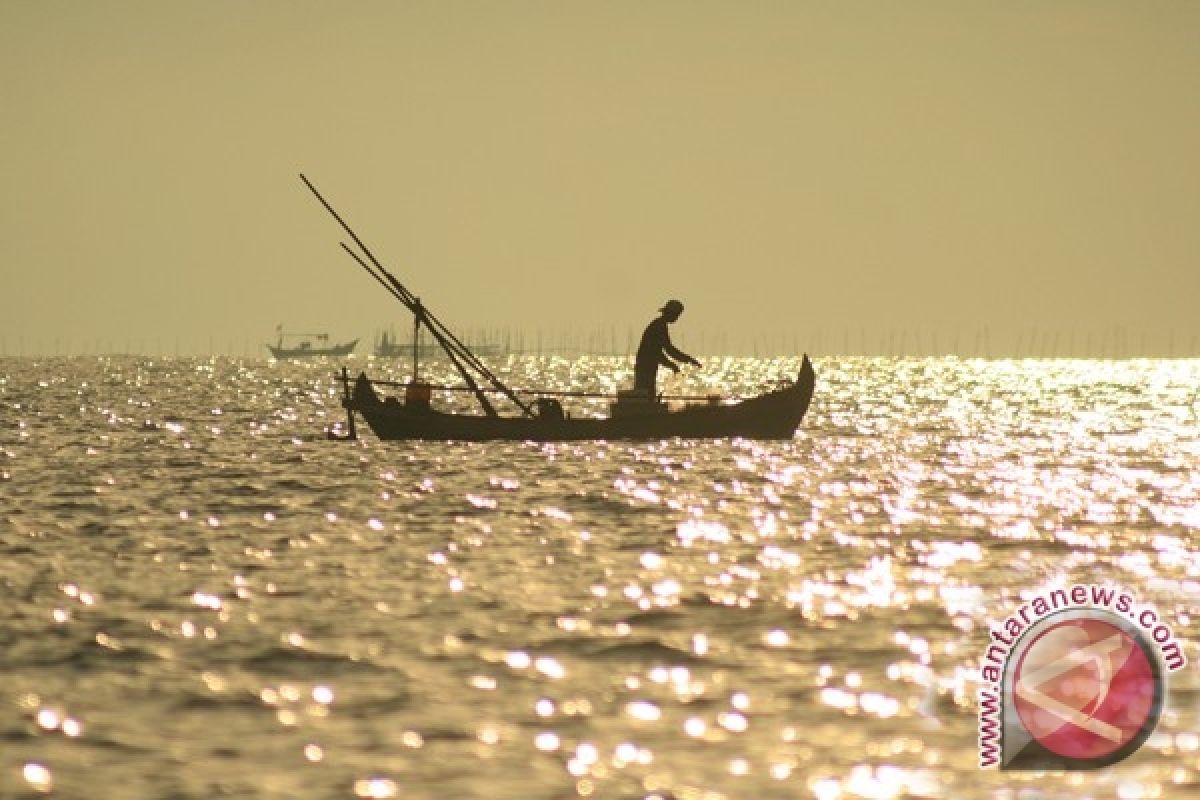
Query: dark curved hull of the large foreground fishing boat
(773, 416)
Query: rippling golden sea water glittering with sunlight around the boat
(205, 598)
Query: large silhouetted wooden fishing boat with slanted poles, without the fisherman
(775, 414)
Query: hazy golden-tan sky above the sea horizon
(830, 175)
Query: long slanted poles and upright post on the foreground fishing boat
(459, 353)
